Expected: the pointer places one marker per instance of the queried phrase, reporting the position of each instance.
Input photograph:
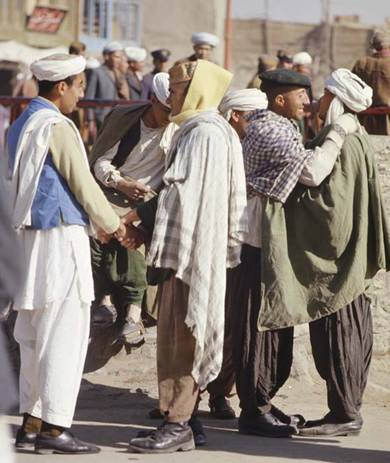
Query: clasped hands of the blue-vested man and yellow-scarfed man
(127, 234)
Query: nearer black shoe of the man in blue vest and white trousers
(65, 443)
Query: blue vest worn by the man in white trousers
(54, 204)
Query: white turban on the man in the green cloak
(349, 90)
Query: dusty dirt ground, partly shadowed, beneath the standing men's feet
(114, 402)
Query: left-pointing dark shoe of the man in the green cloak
(331, 427)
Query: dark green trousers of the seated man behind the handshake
(120, 273)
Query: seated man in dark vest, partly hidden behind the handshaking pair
(128, 160)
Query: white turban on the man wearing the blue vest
(58, 67)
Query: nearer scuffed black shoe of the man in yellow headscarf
(170, 437)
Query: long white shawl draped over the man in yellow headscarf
(200, 225)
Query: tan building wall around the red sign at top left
(13, 17)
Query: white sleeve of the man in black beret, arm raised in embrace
(321, 164)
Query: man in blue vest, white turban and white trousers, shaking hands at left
(54, 198)
